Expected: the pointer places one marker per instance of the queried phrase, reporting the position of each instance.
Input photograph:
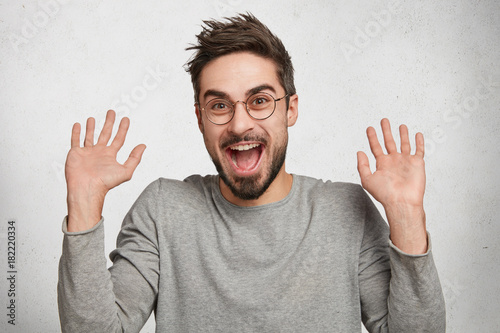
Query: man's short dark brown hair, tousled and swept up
(240, 33)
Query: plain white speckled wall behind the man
(433, 65)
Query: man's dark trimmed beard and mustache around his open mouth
(252, 187)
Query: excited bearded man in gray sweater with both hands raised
(254, 249)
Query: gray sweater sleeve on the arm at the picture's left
(92, 298)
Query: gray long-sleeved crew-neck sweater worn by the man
(320, 260)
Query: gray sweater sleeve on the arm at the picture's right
(399, 292)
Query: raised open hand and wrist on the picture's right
(398, 183)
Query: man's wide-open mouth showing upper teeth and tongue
(245, 158)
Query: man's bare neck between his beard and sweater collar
(277, 191)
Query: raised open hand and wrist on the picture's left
(92, 170)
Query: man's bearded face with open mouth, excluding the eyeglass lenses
(249, 154)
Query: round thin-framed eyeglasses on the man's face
(259, 106)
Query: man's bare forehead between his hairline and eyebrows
(236, 74)
